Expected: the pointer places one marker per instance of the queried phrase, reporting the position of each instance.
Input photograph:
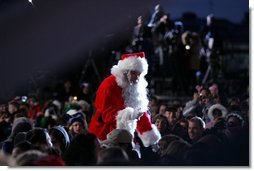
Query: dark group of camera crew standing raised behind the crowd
(189, 56)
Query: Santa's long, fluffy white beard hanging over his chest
(135, 95)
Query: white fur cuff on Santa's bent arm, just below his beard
(124, 121)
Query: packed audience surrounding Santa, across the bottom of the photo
(201, 132)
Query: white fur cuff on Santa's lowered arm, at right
(150, 137)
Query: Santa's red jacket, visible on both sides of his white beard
(108, 103)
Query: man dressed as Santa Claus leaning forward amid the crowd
(122, 102)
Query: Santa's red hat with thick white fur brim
(133, 61)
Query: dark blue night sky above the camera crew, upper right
(232, 10)
